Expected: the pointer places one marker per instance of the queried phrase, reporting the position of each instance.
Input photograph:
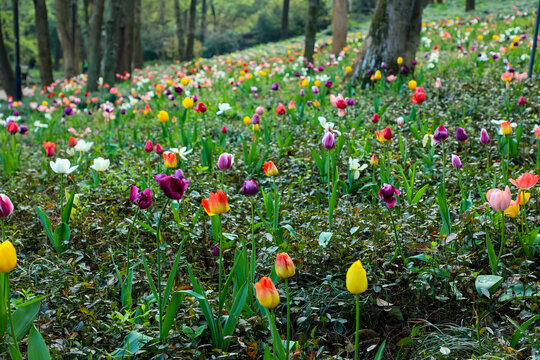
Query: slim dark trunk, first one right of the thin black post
(44, 43)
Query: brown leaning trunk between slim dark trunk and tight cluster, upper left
(66, 26)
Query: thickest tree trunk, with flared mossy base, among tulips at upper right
(394, 32)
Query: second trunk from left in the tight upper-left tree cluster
(111, 27)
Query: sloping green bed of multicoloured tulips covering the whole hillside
(250, 206)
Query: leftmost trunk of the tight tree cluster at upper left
(94, 44)
